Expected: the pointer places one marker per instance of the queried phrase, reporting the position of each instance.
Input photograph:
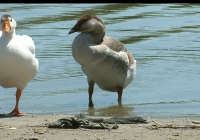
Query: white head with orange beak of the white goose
(8, 24)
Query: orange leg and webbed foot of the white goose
(15, 111)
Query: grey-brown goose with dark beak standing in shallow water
(104, 60)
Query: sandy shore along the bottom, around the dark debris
(35, 127)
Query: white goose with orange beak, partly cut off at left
(18, 64)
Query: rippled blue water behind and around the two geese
(164, 39)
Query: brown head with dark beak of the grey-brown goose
(92, 25)
